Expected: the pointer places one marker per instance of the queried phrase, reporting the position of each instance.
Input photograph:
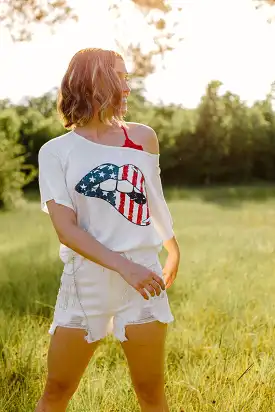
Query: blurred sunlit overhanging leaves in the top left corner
(20, 16)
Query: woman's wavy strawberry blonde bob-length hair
(89, 79)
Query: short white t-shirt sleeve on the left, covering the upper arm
(52, 182)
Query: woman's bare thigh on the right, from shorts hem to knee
(144, 351)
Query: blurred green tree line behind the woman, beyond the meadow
(223, 140)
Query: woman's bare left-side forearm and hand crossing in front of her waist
(71, 235)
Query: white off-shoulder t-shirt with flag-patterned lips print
(116, 192)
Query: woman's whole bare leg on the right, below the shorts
(145, 355)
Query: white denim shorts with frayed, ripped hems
(100, 301)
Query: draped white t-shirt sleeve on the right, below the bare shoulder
(159, 211)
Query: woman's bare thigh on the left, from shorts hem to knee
(68, 356)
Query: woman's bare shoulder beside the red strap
(145, 136)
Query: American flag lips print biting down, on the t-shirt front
(122, 187)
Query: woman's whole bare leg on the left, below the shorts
(68, 357)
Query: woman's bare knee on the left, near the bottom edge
(59, 391)
